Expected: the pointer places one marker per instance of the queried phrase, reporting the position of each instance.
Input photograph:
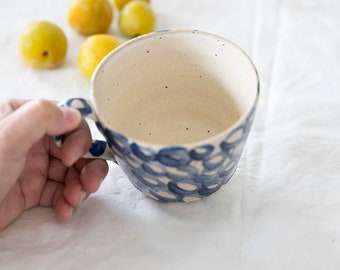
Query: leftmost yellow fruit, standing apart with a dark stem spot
(43, 45)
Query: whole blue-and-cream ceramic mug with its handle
(175, 108)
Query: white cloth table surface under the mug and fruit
(281, 210)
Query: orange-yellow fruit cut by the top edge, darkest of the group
(90, 17)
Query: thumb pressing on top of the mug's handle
(31, 122)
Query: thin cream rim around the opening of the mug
(193, 144)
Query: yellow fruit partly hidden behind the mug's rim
(93, 50)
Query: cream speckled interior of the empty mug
(175, 87)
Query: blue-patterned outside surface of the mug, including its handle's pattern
(173, 173)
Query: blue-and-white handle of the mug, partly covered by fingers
(99, 149)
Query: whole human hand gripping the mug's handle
(33, 170)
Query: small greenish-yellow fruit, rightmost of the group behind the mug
(136, 18)
